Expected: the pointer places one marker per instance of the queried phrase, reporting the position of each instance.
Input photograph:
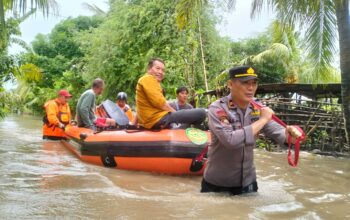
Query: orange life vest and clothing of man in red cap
(55, 113)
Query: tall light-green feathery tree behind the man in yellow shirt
(135, 31)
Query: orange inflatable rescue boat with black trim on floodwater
(167, 151)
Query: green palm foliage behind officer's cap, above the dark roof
(279, 56)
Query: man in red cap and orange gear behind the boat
(57, 116)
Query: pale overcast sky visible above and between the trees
(237, 23)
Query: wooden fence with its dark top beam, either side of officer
(315, 108)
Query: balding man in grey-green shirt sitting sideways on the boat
(86, 107)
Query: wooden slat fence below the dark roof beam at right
(322, 121)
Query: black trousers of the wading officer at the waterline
(208, 187)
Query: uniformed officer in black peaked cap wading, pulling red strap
(234, 125)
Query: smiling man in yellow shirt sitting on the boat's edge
(153, 111)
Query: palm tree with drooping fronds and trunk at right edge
(323, 21)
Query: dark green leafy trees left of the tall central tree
(56, 64)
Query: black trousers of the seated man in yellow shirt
(187, 116)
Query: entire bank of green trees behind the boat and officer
(117, 45)
